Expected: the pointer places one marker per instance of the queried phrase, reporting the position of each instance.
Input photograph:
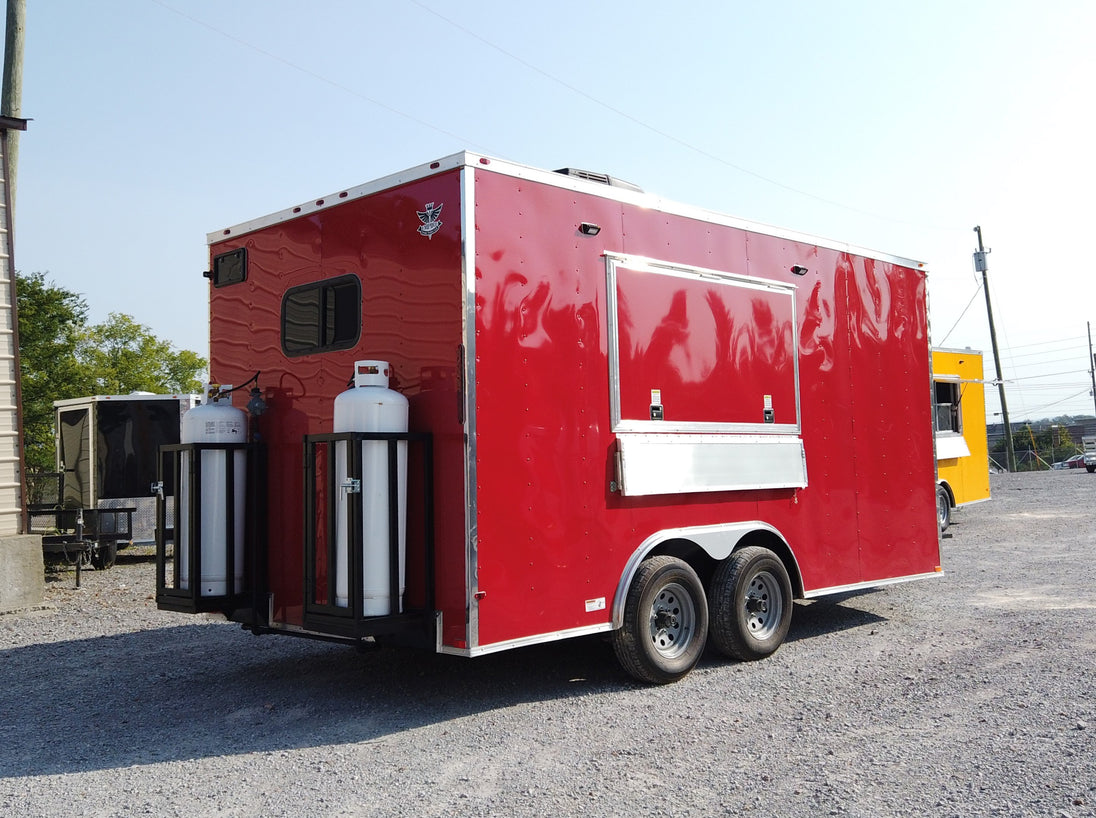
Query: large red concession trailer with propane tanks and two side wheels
(623, 415)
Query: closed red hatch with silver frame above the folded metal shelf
(697, 350)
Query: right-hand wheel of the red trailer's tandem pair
(751, 605)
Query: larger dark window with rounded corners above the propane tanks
(322, 317)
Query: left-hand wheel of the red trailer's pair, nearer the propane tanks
(666, 622)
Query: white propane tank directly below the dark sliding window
(370, 406)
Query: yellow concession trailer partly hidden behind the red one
(963, 457)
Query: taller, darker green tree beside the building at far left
(51, 321)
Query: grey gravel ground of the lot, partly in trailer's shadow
(967, 696)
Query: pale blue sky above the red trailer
(896, 127)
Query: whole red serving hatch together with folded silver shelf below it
(704, 380)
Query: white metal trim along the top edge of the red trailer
(649, 201)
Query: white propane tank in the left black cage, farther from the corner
(213, 422)
